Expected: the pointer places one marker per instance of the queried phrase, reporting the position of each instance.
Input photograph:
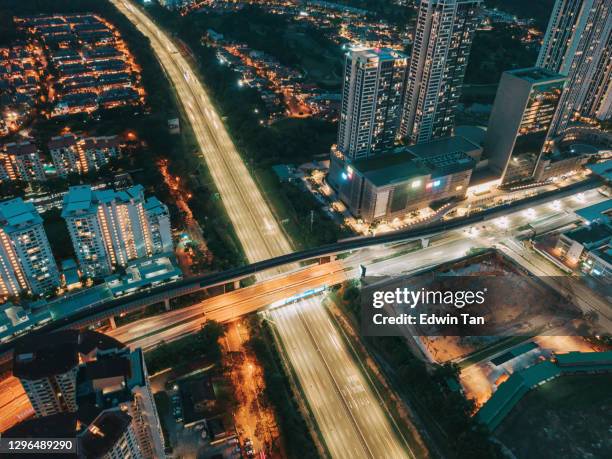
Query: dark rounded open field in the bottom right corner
(566, 418)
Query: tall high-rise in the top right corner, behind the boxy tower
(578, 44)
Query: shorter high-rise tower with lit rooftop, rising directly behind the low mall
(371, 101)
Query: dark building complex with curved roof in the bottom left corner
(100, 384)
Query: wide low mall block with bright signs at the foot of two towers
(405, 179)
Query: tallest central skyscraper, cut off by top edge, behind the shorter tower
(442, 41)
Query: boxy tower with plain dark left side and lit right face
(520, 121)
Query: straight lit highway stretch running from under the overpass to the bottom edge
(349, 414)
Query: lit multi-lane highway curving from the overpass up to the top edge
(258, 231)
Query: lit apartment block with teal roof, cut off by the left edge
(26, 261)
